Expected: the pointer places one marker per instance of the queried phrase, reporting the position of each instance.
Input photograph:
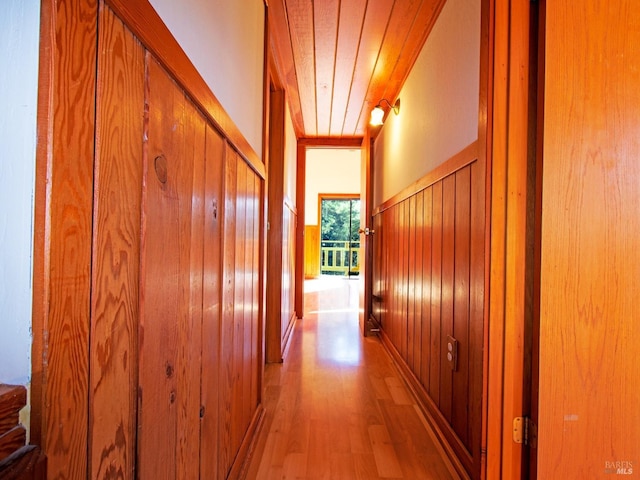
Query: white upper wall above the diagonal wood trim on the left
(225, 42)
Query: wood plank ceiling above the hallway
(338, 58)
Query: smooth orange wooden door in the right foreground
(590, 226)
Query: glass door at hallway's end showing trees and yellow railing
(339, 237)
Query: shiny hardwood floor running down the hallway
(337, 408)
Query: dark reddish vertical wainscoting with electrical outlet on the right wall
(428, 284)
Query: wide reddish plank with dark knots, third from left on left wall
(170, 335)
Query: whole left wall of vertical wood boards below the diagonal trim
(166, 380)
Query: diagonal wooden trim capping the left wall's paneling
(148, 27)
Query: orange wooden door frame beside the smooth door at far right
(512, 265)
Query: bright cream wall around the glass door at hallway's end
(329, 170)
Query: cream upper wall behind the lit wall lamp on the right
(439, 103)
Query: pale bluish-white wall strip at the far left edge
(19, 41)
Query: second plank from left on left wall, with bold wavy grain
(116, 251)
